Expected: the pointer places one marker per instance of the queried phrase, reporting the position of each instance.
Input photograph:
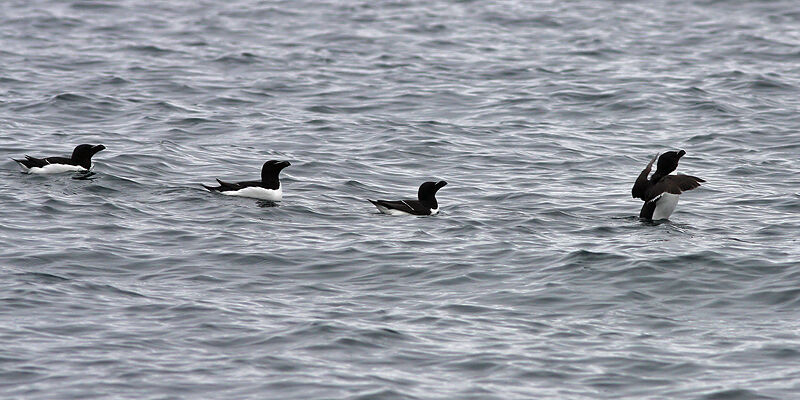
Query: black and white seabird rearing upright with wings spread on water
(660, 192)
